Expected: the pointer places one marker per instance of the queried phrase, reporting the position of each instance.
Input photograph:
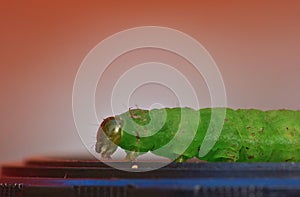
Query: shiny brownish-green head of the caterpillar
(108, 137)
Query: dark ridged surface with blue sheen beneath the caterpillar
(81, 177)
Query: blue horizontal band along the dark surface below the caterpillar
(184, 183)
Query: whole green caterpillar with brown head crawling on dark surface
(247, 135)
